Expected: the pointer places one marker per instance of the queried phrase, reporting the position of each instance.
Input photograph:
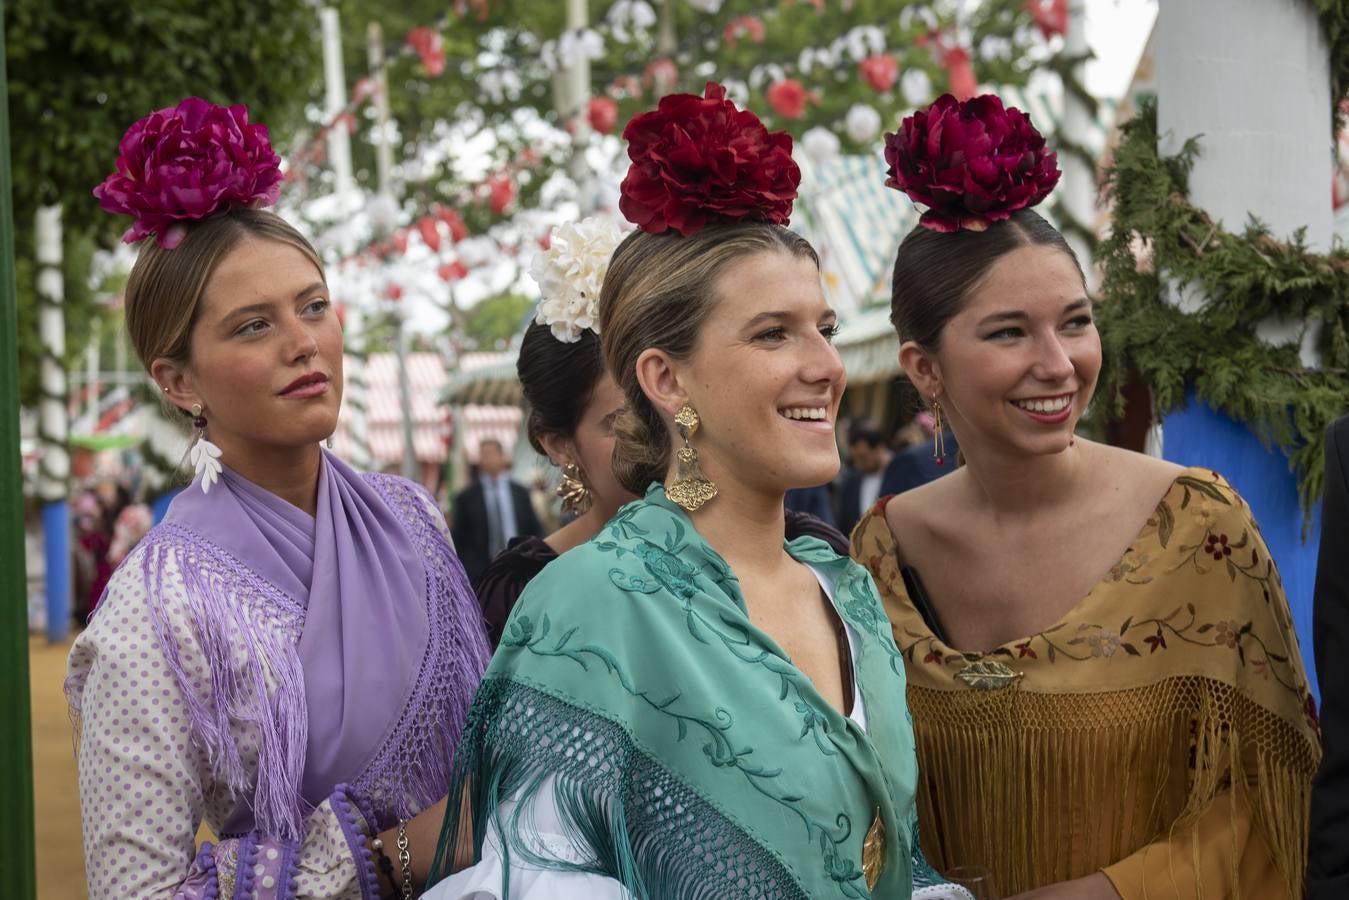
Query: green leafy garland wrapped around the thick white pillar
(1159, 238)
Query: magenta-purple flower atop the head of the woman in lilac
(190, 163)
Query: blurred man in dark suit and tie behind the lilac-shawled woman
(490, 512)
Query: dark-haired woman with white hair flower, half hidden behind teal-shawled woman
(573, 407)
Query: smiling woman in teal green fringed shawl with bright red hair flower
(689, 705)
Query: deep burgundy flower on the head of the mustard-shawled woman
(971, 163)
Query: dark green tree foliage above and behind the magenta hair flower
(80, 72)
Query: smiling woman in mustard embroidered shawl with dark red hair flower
(1107, 690)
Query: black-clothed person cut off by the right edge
(1328, 859)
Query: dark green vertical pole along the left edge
(18, 876)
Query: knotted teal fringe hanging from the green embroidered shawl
(629, 817)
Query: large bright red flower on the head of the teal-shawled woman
(699, 161)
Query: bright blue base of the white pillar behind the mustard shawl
(1201, 437)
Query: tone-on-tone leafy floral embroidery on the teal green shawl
(678, 571)
